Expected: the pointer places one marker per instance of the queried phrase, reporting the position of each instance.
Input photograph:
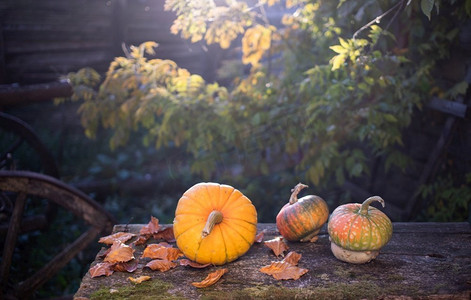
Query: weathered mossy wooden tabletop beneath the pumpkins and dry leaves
(422, 261)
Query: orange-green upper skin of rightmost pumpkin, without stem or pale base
(357, 232)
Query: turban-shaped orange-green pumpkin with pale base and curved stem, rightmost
(358, 231)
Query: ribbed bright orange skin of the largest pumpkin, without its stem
(229, 239)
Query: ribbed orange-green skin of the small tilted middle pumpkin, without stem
(299, 220)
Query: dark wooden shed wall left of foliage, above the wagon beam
(42, 40)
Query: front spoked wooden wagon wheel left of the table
(22, 184)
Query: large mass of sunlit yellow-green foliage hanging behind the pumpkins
(338, 98)
